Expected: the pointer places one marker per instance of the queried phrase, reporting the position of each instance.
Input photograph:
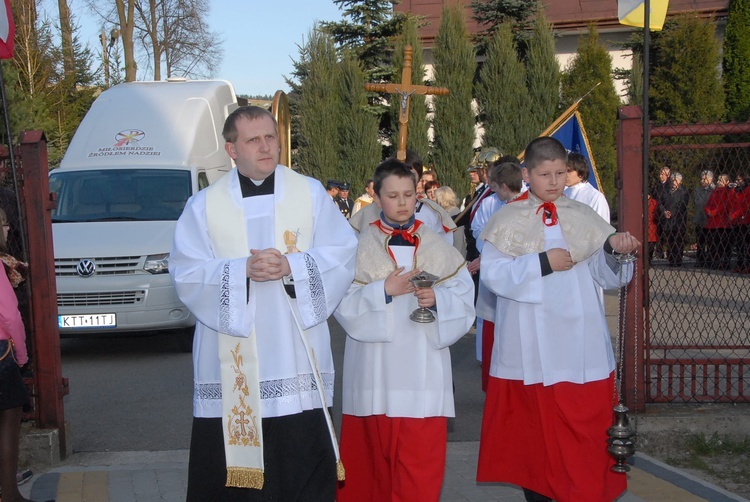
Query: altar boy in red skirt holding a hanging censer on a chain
(551, 387)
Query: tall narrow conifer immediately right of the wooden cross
(454, 119)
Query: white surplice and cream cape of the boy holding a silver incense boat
(394, 366)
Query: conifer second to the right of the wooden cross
(502, 96)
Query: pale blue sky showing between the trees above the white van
(261, 37)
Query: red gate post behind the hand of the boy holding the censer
(631, 218)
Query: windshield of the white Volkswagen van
(120, 194)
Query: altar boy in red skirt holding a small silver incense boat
(397, 383)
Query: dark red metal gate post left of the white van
(38, 202)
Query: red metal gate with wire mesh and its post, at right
(695, 305)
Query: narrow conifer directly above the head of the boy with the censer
(542, 77)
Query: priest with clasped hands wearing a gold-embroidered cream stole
(262, 258)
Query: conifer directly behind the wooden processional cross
(418, 139)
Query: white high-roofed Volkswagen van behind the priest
(141, 151)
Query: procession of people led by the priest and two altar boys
(262, 357)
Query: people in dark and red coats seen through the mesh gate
(720, 219)
